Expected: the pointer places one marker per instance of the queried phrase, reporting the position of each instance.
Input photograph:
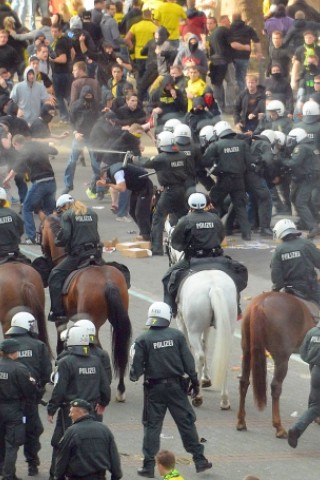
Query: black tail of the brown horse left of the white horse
(121, 329)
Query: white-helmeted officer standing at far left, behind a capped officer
(35, 356)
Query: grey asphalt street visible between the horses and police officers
(234, 454)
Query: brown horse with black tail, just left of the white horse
(100, 292)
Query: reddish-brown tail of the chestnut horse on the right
(258, 355)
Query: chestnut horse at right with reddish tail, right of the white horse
(276, 322)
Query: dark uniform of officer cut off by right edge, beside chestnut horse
(310, 353)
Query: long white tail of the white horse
(225, 323)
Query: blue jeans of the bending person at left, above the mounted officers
(40, 195)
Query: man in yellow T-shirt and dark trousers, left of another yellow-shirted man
(138, 36)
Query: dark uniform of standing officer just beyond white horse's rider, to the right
(230, 157)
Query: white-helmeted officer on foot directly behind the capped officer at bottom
(78, 373)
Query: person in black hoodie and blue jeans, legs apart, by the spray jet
(83, 115)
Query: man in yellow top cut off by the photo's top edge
(170, 15)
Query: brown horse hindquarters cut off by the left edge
(21, 288)
